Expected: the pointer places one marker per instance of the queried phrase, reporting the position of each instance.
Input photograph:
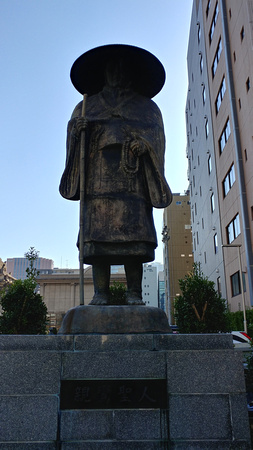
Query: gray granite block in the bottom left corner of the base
(28, 418)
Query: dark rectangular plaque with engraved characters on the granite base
(113, 394)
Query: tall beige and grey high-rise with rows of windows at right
(219, 117)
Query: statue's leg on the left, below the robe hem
(101, 280)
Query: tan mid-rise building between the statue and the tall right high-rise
(177, 239)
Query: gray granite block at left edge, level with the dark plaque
(29, 372)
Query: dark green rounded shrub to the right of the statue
(200, 309)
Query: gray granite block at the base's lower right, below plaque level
(200, 417)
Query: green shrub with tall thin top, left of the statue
(23, 310)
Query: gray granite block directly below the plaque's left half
(86, 425)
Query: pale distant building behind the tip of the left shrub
(17, 266)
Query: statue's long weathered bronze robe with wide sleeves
(120, 189)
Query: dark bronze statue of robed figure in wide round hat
(124, 162)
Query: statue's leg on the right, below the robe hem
(134, 271)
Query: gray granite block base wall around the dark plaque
(205, 398)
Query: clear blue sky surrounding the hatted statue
(40, 40)
